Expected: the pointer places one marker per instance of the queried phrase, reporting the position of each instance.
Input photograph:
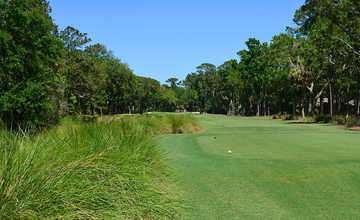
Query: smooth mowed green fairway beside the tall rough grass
(277, 170)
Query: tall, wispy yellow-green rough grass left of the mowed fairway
(110, 169)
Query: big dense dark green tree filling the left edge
(28, 53)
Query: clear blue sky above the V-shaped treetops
(169, 38)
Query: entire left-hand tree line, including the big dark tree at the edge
(46, 73)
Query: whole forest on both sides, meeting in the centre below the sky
(46, 73)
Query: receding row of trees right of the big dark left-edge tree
(96, 82)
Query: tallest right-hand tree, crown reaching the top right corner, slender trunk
(333, 26)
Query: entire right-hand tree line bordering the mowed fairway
(314, 68)
